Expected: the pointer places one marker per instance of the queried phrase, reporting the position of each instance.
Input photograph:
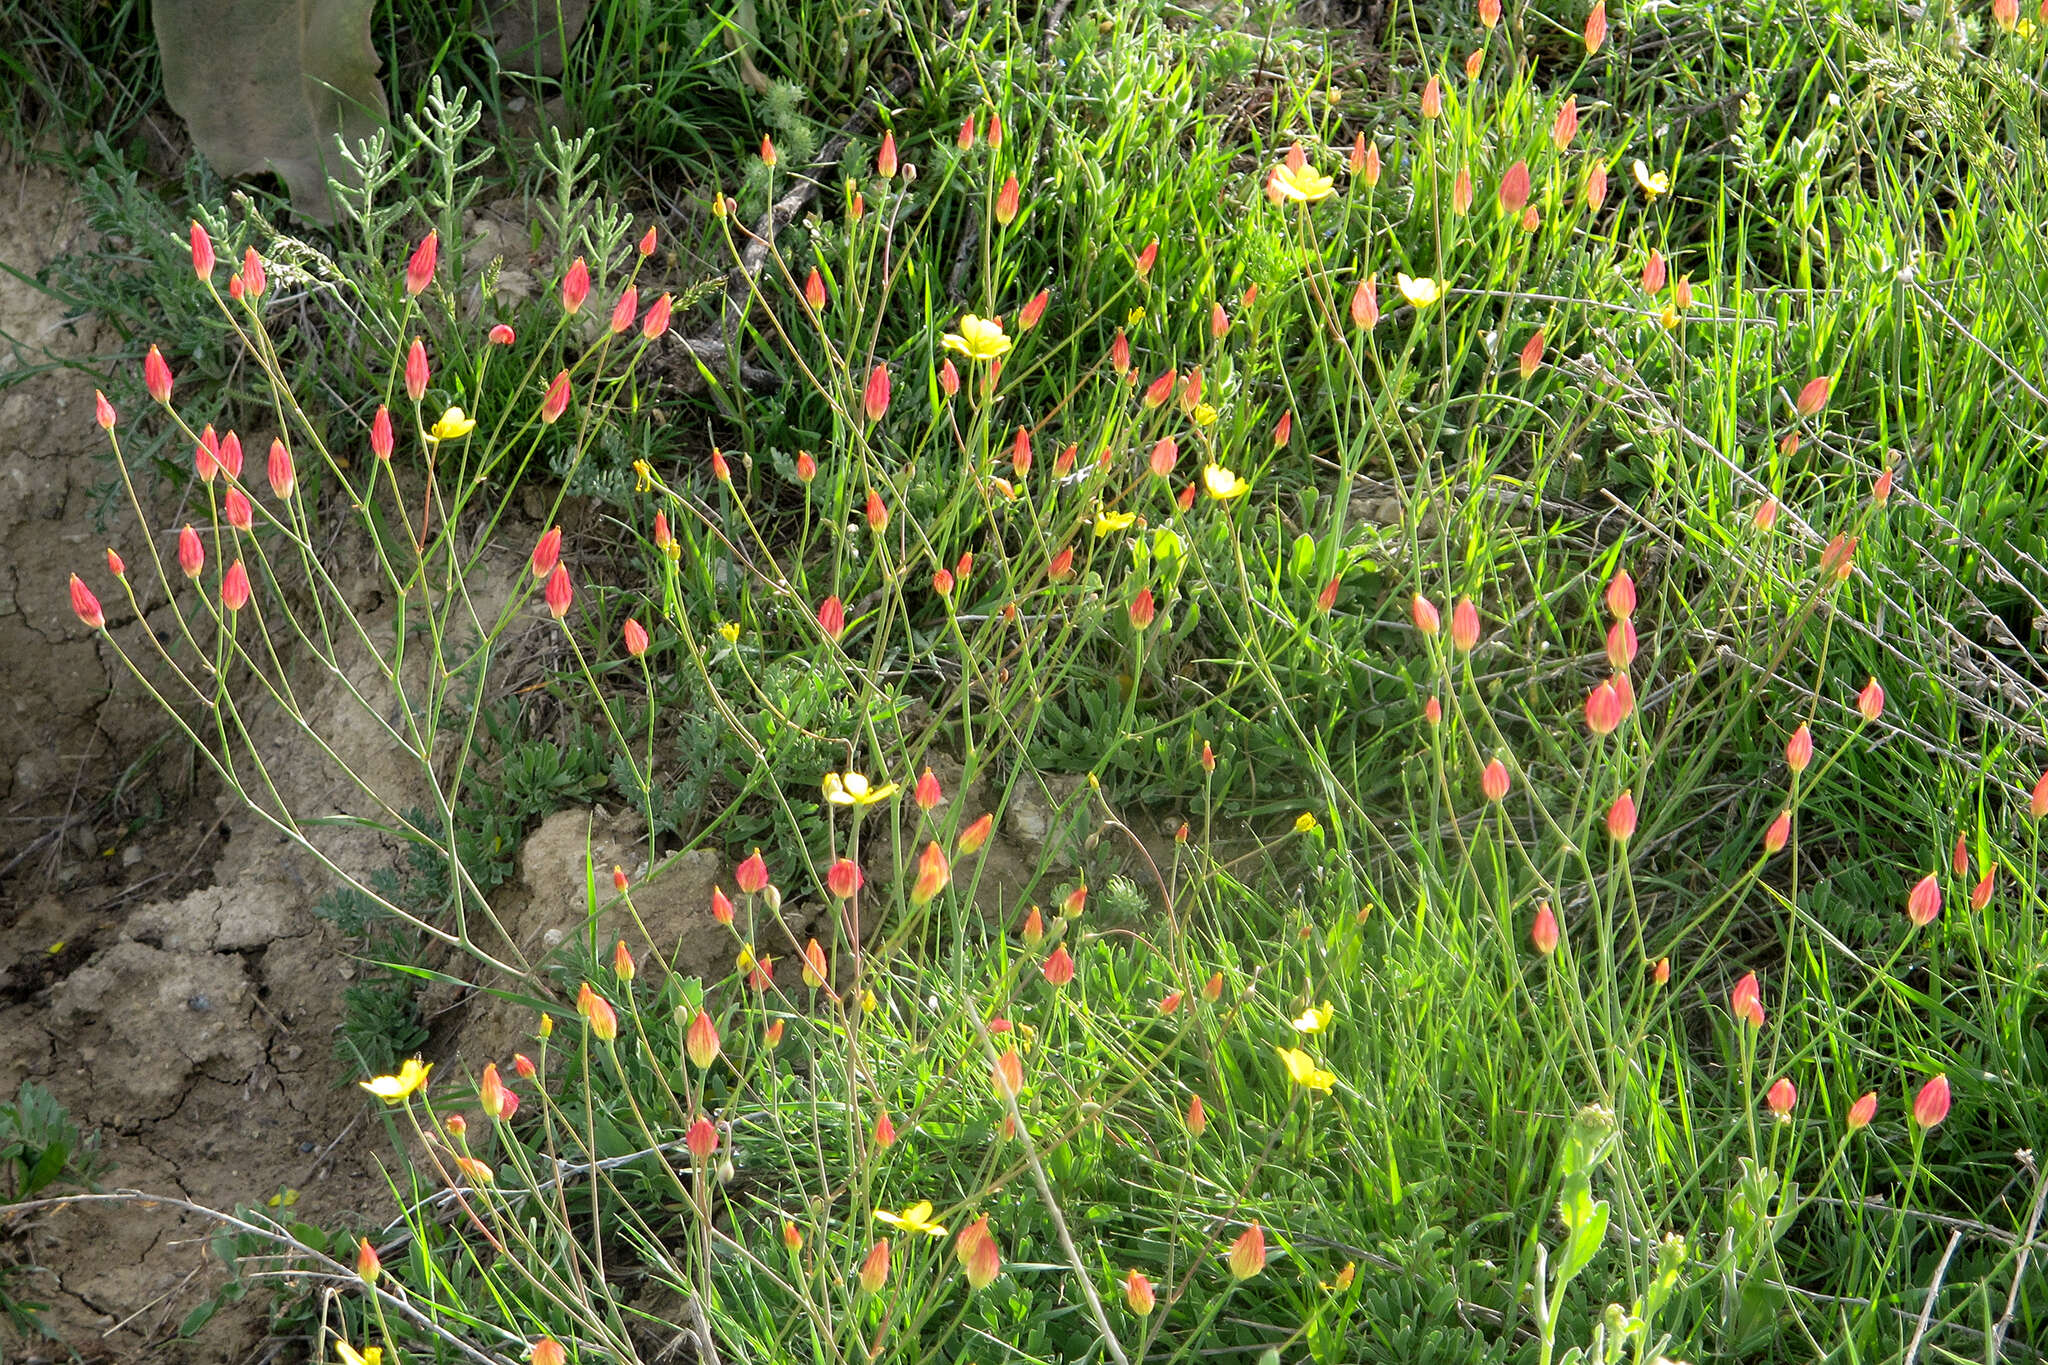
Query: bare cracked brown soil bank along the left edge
(161, 969)
